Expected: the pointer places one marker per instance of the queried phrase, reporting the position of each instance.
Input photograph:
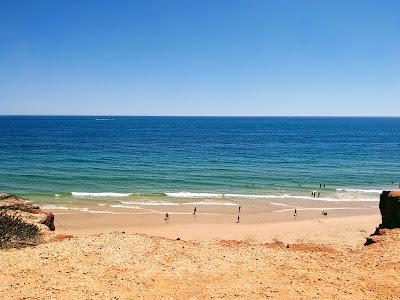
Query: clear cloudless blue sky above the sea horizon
(200, 57)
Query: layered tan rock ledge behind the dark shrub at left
(30, 213)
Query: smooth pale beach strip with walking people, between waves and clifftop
(347, 223)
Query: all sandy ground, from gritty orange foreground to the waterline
(214, 258)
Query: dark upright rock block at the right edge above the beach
(389, 205)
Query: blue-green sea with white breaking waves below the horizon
(207, 158)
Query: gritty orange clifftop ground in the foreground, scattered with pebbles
(128, 266)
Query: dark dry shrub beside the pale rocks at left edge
(16, 233)
